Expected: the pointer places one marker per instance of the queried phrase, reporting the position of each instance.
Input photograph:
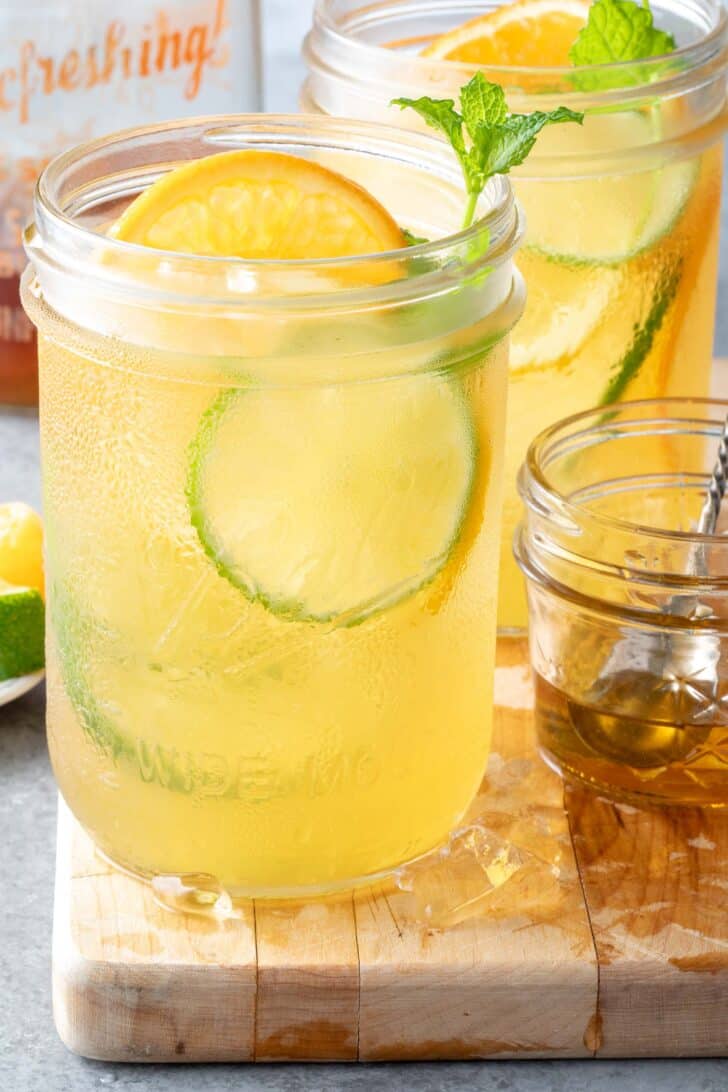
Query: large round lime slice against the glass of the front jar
(330, 504)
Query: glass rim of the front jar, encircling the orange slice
(57, 238)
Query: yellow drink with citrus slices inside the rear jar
(608, 328)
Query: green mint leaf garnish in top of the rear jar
(618, 31)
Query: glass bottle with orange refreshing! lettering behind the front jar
(74, 69)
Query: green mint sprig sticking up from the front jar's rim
(486, 139)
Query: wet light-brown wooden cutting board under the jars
(610, 939)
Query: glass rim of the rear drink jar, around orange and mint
(662, 76)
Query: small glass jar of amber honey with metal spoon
(628, 604)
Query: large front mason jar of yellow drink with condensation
(272, 494)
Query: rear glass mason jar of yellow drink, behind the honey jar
(623, 216)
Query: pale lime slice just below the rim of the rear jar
(606, 219)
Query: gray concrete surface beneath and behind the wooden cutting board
(32, 1059)
